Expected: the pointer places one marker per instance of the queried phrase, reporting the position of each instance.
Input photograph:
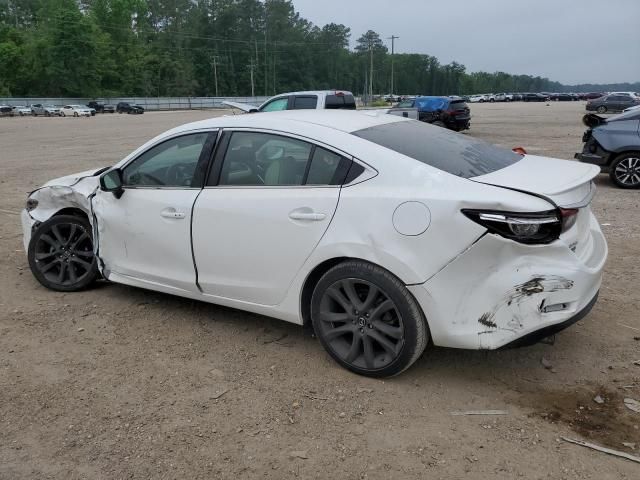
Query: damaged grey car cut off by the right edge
(614, 144)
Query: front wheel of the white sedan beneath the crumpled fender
(61, 255)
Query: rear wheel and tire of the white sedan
(377, 329)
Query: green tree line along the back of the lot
(104, 48)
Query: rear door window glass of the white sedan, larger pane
(263, 159)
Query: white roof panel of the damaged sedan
(343, 120)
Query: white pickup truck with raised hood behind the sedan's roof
(311, 100)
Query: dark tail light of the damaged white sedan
(529, 228)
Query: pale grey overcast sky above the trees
(571, 41)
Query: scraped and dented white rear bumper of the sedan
(499, 291)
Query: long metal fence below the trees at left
(149, 103)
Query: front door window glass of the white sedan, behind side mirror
(170, 164)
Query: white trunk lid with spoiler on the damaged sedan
(564, 182)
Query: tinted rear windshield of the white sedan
(451, 152)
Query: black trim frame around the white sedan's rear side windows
(213, 178)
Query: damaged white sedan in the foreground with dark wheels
(383, 234)
